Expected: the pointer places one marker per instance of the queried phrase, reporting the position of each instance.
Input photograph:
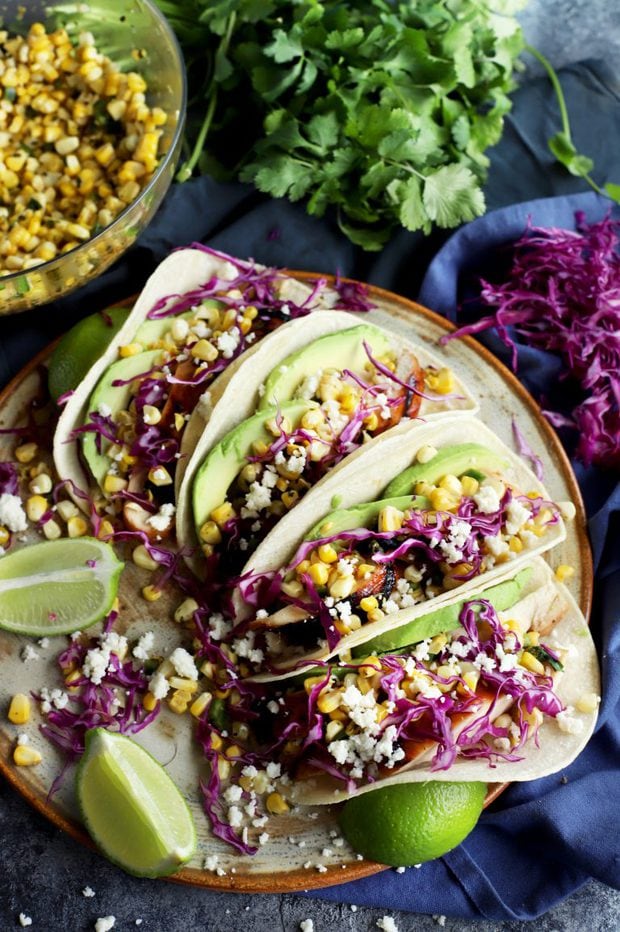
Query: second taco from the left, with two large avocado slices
(319, 389)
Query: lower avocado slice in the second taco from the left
(229, 456)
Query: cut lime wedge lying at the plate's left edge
(58, 586)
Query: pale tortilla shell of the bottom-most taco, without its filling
(553, 749)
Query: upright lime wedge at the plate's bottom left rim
(132, 808)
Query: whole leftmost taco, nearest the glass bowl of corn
(198, 314)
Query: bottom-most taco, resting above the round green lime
(493, 696)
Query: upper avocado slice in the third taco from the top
(455, 460)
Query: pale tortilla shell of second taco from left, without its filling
(234, 396)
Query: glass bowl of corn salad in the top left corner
(90, 132)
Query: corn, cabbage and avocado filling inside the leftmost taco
(137, 413)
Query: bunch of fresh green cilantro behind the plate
(380, 109)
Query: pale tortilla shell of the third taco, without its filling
(362, 478)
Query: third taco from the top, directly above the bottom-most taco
(354, 562)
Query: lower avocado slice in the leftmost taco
(115, 397)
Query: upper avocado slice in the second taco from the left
(341, 350)
